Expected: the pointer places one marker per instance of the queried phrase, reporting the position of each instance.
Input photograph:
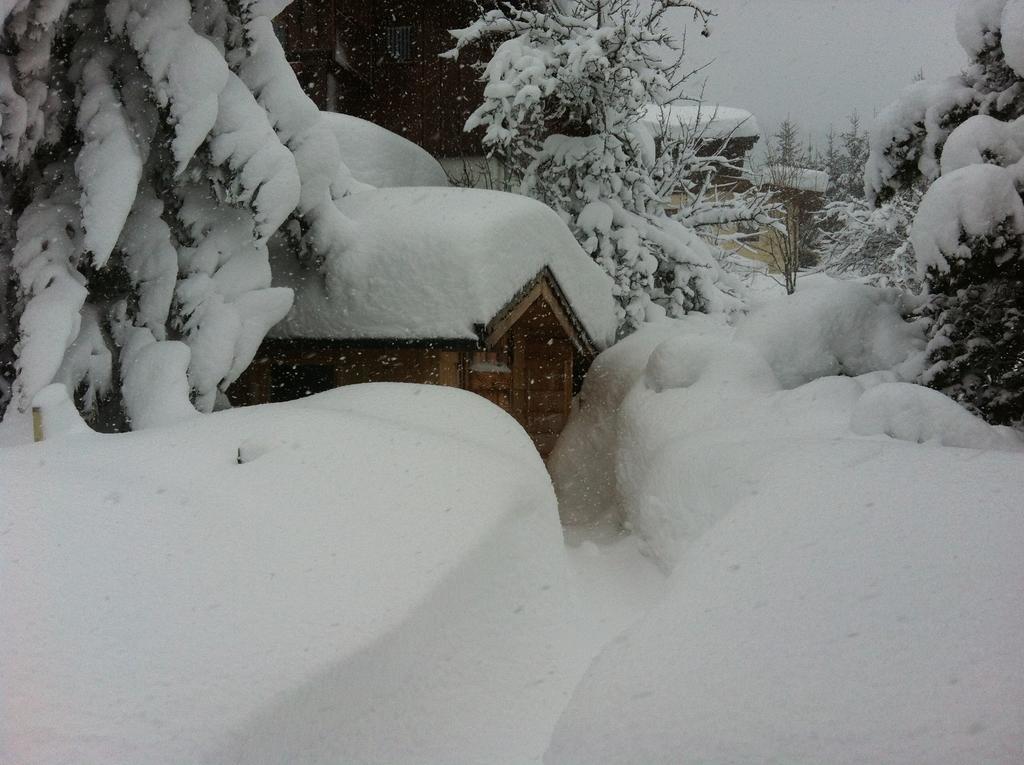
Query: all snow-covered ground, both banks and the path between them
(825, 568)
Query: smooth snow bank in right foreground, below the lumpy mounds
(862, 603)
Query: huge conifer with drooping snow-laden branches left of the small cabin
(149, 150)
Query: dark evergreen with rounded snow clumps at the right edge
(964, 137)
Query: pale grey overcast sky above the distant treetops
(819, 60)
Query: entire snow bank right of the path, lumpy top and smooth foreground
(839, 591)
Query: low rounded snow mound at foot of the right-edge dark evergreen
(913, 413)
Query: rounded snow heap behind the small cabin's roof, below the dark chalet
(380, 158)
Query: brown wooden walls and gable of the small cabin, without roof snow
(530, 360)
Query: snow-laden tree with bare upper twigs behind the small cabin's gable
(564, 98)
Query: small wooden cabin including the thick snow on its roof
(495, 297)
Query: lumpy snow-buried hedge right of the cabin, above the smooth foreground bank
(804, 366)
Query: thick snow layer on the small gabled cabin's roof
(438, 264)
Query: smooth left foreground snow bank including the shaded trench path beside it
(288, 583)
